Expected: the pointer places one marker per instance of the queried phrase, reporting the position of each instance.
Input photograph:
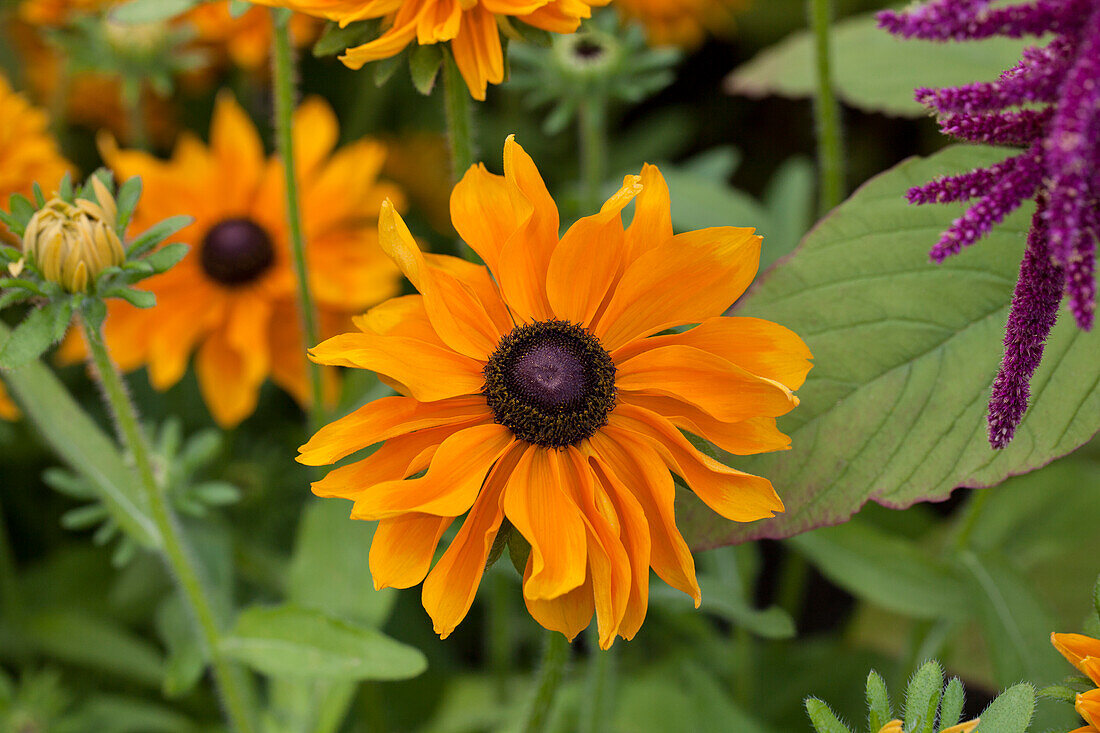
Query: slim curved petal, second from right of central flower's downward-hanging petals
(634, 535)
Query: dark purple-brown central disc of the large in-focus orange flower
(552, 384)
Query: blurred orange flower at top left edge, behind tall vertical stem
(246, 39)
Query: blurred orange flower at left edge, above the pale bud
(28, 152)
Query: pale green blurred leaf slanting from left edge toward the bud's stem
(81, 444)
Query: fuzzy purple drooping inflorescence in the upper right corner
(1049, 105)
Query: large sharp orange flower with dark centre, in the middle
(546, 395)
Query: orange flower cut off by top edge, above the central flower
(471, 27)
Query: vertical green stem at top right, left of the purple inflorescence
(827, 111)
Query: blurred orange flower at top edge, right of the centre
(684, 24)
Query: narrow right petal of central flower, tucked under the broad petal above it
(757, 435)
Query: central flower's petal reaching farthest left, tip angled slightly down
(386, 419)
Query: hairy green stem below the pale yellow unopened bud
(174, 546)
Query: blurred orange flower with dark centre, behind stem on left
(233, 299)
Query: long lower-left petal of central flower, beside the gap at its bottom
(449, 589)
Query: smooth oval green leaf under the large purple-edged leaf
(889, 572)
